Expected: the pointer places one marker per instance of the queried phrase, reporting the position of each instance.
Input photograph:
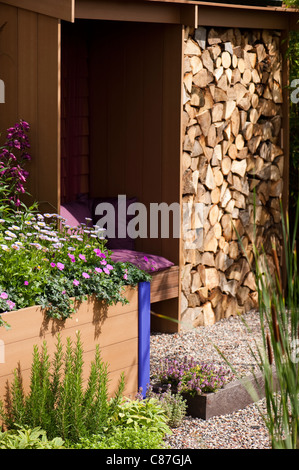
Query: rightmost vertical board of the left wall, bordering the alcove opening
(48, 112)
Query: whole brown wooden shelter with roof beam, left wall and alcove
(132, 93)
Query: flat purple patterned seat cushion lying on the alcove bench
(144, 261)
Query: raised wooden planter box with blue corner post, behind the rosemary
(117, 329)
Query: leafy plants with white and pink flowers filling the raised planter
(38, 247)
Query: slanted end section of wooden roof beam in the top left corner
(60, 9)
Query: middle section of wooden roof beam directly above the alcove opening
(131, 10)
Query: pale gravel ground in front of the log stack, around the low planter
(243, 429)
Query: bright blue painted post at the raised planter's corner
(144, 330)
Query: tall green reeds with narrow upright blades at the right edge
(278, 356)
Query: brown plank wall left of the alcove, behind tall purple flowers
(30, 67)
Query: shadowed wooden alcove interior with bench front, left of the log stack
(121, 109)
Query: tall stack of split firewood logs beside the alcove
(232, 166)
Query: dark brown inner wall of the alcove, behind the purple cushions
(135, 110)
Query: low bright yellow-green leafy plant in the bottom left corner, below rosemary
(25, 438)
